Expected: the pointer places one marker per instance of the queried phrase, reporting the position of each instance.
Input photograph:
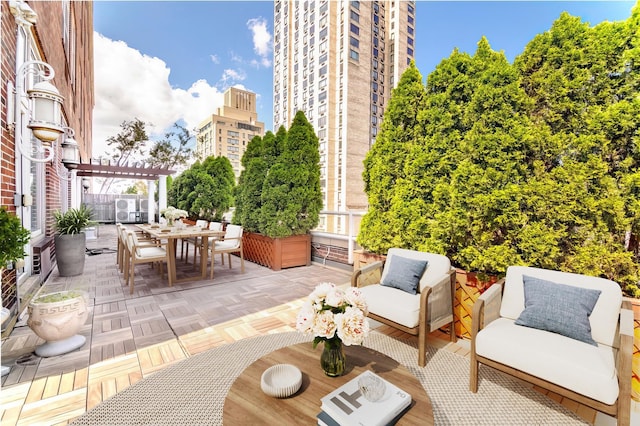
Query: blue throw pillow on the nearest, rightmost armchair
(558, 308)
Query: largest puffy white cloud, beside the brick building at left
(131, 85)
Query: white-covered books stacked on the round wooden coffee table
(347, 406)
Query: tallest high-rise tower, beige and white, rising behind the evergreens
(338, 61)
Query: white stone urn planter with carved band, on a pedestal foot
(58, 323)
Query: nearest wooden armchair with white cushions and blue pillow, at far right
(568, 333)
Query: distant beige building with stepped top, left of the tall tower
(228, 132)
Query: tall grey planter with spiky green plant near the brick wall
(70, 240)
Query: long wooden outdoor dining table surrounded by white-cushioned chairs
(172, 235)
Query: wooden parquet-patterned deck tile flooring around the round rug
(130, 337)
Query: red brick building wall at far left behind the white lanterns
(74, 78)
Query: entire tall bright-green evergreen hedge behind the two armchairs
(535, 163)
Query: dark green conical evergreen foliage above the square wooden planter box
(279, 192)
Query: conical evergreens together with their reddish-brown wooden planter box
(279, 197)
